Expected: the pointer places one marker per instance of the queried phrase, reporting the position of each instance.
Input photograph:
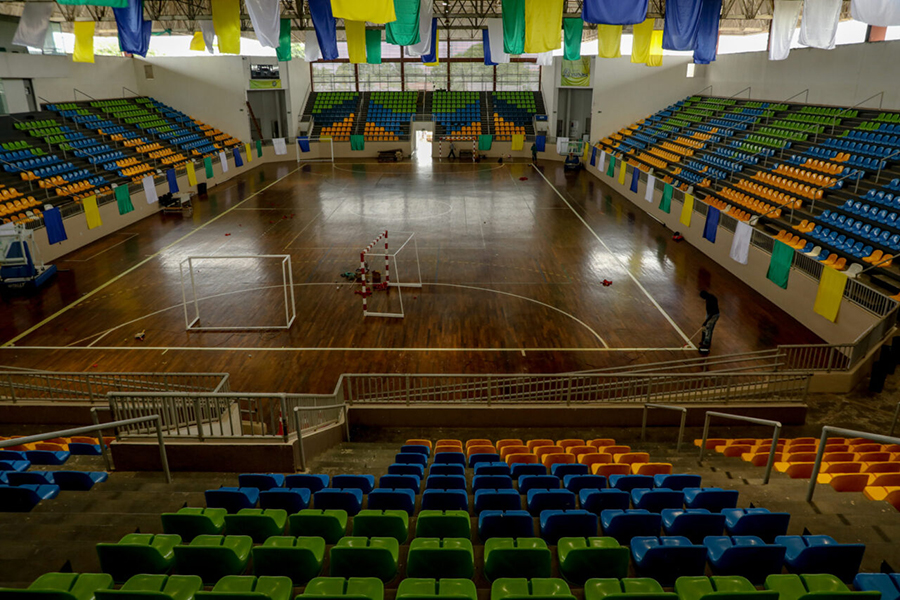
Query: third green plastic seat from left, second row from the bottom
(299, 558)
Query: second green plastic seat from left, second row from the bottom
(213, 557)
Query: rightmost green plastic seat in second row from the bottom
(581, 559)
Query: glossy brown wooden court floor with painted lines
(512, 261)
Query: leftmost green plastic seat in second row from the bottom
(138, 553)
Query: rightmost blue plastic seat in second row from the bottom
(821, 554)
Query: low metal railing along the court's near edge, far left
(26, 386)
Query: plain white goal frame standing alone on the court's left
(238, 293)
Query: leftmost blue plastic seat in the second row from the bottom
(667, 558)
